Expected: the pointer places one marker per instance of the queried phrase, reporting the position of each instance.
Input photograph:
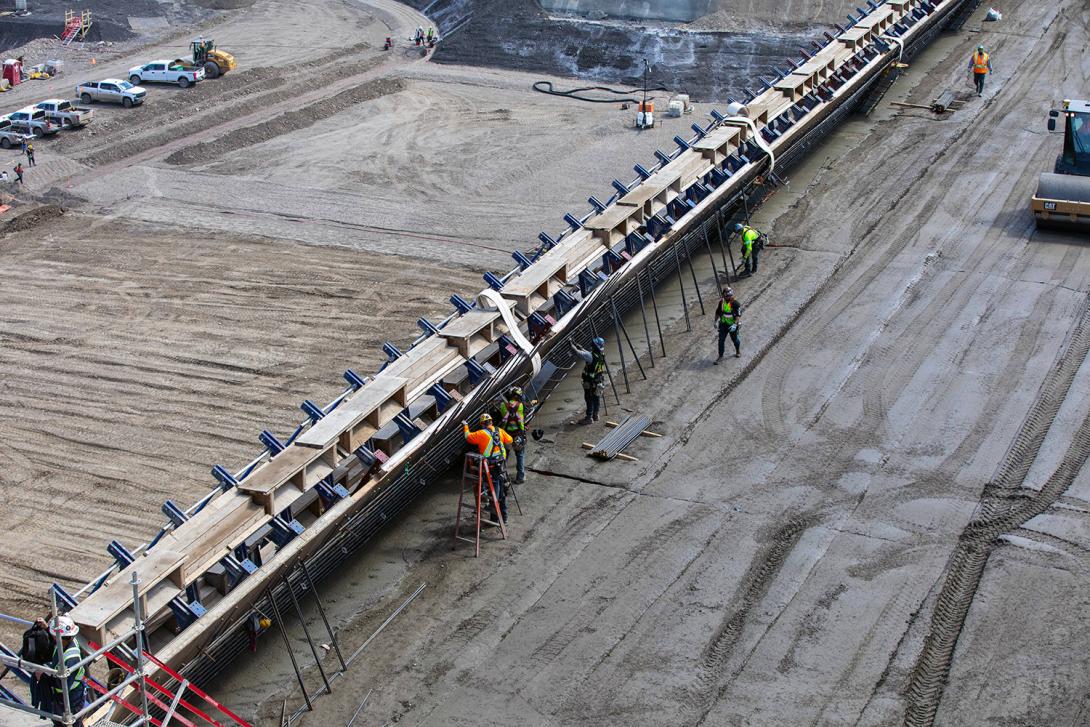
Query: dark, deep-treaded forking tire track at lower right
(1001, 514)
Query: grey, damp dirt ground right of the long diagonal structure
(878, 516)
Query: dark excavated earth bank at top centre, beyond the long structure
(693, 46)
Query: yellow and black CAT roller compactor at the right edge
(1063, 197)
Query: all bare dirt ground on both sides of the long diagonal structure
(877, 516)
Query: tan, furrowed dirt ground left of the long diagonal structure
(204, 227)
